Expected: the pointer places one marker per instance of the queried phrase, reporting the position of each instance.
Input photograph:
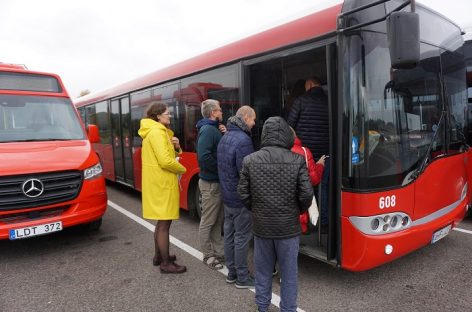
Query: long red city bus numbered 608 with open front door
(398, 177)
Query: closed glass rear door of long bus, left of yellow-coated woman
(121, 134)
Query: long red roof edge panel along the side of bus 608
(300, 30)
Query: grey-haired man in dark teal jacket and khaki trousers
(210, 131)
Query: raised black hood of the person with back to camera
(277, 132)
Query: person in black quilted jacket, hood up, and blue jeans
(275, 186)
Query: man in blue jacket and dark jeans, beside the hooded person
(233, 147)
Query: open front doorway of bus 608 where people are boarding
(272, 84)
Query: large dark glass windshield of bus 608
(396, 121)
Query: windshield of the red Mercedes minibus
(38, 118)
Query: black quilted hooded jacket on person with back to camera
(274, 183)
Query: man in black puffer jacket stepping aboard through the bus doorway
(309, 118)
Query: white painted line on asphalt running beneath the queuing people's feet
(178, 243)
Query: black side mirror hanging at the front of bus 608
(403, 31)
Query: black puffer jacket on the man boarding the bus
(309, 118)
